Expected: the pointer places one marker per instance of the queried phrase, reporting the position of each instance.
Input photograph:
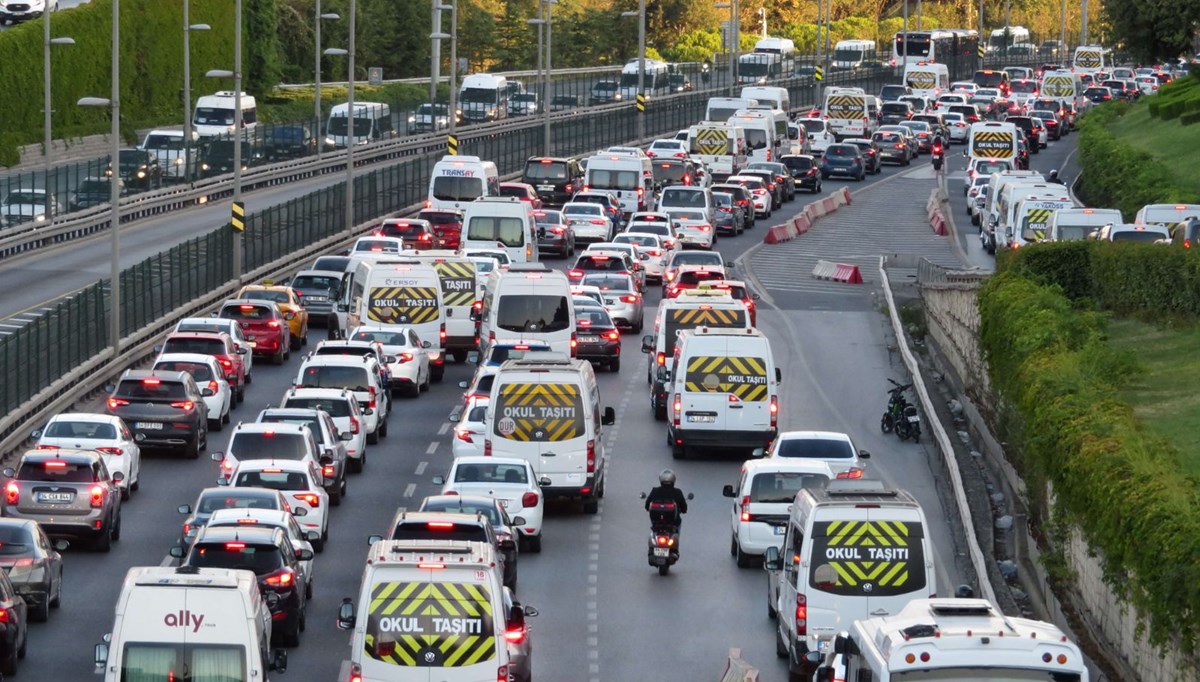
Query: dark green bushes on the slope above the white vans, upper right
(1119, 176)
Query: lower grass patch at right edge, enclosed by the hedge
(1165, 397)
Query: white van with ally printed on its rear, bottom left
(190, 624)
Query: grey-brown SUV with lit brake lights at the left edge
(70, 493)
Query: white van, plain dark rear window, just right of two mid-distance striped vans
(529, 303)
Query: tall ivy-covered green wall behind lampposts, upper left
(152, 65)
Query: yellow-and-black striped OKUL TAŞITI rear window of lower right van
(868, 559)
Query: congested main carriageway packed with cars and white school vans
(452, 384)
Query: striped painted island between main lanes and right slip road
(889, 218)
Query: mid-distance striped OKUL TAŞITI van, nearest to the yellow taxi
(401, 292)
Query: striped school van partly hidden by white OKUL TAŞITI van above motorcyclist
(715, 309)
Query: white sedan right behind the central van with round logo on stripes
(512, 481)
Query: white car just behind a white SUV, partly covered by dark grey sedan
(302, 486)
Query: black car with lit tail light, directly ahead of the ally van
(274, 560)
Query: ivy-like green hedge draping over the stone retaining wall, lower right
(1049, 361)
